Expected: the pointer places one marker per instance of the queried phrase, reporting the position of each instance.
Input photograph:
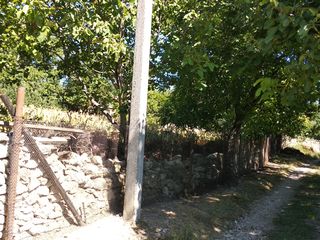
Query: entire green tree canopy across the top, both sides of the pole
(237, 67)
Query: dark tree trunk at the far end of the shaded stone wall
(230, 163)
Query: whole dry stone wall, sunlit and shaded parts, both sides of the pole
(94, 183)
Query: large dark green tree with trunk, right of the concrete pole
(224, 68)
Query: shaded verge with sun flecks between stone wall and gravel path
(211, 215)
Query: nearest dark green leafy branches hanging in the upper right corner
(292, 31)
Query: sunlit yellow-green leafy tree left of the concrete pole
(87, 44)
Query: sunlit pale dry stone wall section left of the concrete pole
(91, 182)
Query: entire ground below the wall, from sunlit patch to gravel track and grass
(245, 212)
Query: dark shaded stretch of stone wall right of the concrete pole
(177, 176)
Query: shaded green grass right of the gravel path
(300, 218)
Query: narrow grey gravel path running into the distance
(258, 221)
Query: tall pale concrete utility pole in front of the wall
(134, 175)
